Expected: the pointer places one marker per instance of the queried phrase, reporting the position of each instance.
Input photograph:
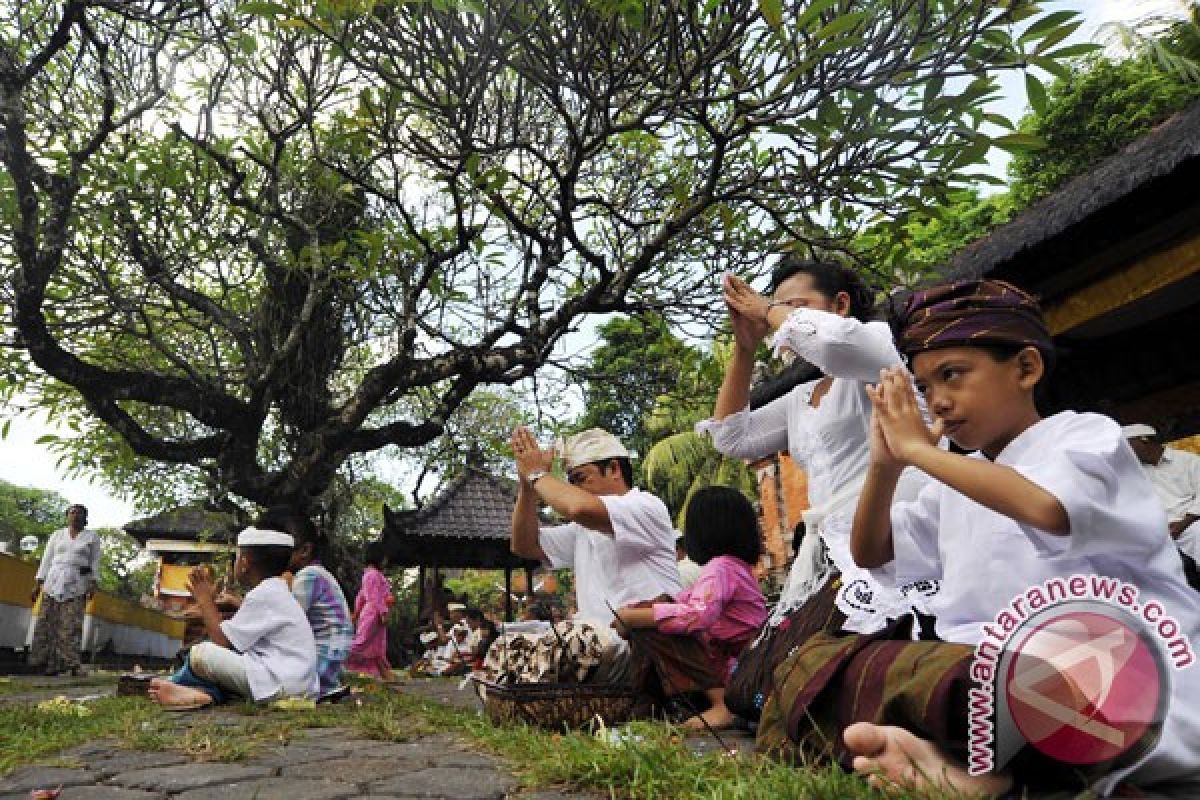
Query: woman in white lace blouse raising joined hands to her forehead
(820, 312)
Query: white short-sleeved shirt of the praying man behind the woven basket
(634, 563)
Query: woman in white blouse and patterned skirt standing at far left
(67, 579)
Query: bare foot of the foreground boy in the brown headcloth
(892, 756)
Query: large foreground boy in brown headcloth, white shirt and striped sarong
(1037, 501)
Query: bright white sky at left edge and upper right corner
(27, 464)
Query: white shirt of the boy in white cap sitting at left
(273, 634)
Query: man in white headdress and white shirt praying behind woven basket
(619, 540)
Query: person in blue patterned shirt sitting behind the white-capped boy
(320, 596)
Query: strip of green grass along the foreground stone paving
(651, 765)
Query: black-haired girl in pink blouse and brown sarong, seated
(694, 640)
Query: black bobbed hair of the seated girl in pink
(722, 522)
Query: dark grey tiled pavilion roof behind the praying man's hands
(469, 525)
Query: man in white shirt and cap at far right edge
(1177, 479)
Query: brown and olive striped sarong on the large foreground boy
(833, 682)
